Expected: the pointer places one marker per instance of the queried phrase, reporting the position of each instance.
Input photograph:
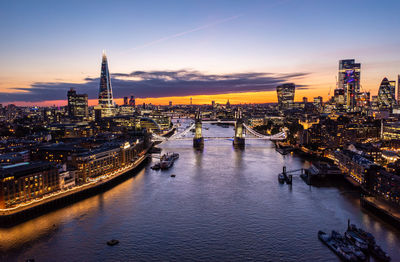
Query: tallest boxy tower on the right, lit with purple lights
(349, 81)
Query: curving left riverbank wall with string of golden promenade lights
(16, 215)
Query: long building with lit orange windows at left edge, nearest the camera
(26, 181)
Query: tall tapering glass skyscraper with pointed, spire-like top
(105, 92)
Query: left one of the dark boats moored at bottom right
(339, 247)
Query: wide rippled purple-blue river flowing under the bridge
(223, 205)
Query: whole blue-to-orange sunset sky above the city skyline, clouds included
(209, 50)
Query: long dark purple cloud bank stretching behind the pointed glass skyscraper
(146, 84)
